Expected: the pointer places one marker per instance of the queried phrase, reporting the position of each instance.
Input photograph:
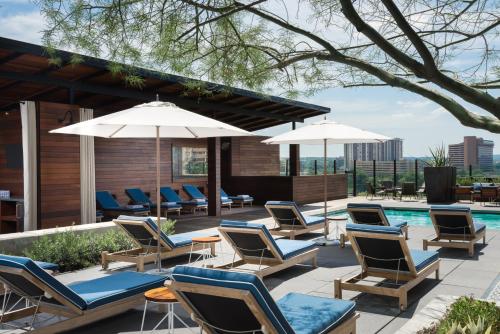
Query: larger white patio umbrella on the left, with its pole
(154, 120)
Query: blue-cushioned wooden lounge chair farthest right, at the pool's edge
(455, 227)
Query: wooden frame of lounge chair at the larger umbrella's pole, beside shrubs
(146, 254)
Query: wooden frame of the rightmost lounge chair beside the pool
(452, 240)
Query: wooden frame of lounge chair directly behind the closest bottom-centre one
(273, 265)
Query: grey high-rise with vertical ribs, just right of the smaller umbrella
(386, 151)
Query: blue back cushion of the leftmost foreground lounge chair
(31, 267)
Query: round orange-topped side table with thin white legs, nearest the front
(163, 296)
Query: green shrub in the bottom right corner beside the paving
(468, 316)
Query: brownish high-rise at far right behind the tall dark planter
(474, 151)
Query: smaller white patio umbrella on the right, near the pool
(326, 132)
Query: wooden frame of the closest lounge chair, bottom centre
(346, 327)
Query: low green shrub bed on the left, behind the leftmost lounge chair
(74, 251)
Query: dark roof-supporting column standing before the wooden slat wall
(214, 177)
